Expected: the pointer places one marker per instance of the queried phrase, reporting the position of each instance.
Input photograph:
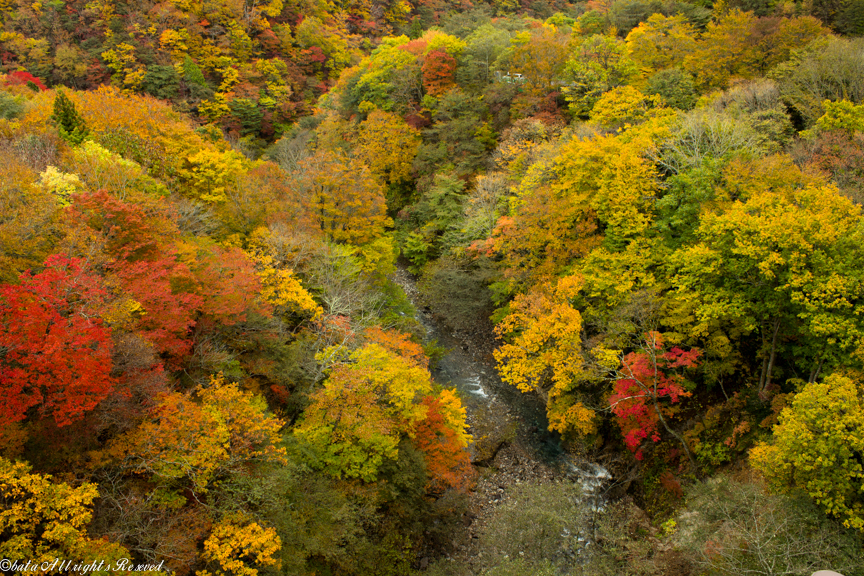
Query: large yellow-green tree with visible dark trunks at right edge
(780, 266)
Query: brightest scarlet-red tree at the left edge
(56, 351)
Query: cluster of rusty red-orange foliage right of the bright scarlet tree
(173, 291)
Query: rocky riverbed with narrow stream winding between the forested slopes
(512, 445)
